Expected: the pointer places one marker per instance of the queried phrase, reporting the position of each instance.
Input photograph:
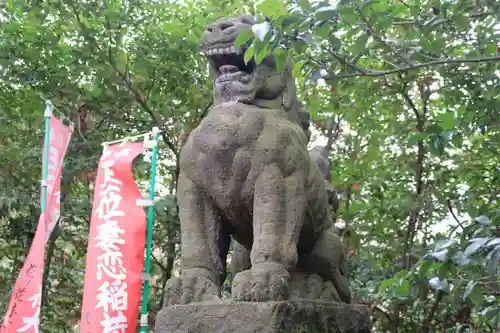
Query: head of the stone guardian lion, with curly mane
(259, 85)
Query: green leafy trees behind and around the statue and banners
(405, 93)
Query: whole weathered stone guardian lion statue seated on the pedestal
(245, 172)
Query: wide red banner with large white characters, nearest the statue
(115, 254)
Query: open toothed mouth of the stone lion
(228, 64)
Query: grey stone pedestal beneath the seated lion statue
(296, 316)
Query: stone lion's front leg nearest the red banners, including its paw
(204, 247)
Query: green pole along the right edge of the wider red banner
(149, 234)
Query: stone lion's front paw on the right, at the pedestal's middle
(263, 282)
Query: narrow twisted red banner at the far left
(24, 305)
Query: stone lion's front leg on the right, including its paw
(279, 204)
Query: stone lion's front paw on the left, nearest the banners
(195, 285)
